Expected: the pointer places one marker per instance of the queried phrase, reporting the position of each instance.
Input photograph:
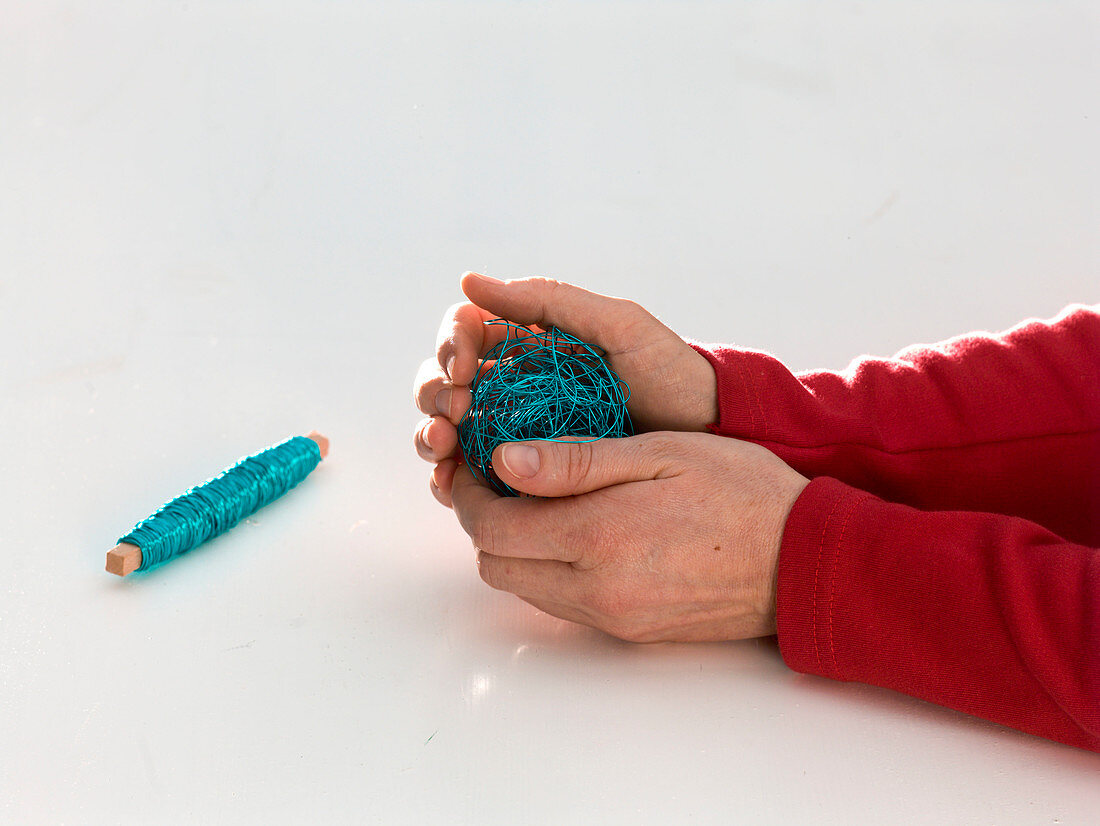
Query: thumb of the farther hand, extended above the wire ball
(595, 318)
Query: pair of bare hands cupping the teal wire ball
(670, 535)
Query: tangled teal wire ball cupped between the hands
(541, 386)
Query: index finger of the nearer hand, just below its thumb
(521, 528)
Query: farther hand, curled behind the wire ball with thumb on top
(673, 388)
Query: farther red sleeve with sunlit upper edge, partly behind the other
(1007, 424)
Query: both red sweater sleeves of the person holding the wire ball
(949, 546)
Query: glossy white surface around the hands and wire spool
(226, 224)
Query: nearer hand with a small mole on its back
(656, 537)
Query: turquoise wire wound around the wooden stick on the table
(217, 505)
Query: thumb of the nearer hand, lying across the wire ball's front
(565, 469)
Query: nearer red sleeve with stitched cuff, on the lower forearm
(992, 615)
